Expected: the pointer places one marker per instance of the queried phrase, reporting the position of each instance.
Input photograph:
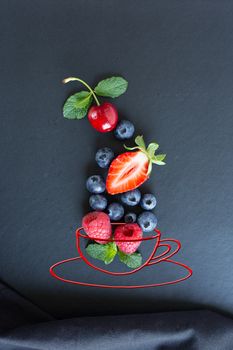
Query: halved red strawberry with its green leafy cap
(131, 169)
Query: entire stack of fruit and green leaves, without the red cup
(115, 197)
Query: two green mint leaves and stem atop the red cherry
(77, 105)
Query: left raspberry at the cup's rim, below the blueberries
(97, 225)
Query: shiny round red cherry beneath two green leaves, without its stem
(104, 117)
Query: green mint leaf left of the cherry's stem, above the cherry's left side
(76, 106)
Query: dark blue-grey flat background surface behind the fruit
(177, 57)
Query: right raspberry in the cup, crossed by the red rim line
(128, 232)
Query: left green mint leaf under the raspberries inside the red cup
(103, 252)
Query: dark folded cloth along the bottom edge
(23, 326)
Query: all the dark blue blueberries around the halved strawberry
(95, 184)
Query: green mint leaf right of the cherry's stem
(111, 87)
